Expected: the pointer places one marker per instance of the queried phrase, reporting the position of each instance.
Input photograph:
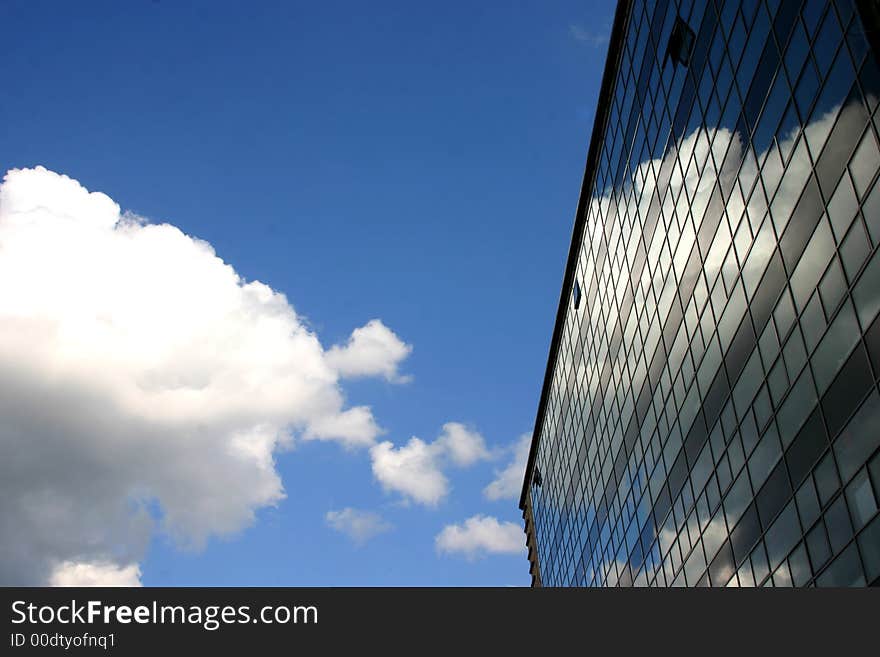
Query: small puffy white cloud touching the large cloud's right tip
(372, 350)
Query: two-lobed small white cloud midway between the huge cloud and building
(416, 470)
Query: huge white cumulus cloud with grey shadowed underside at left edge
(139, 371)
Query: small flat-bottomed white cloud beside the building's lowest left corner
(481, 535)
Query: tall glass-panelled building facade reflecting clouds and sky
(710, 413)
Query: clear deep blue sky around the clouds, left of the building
(418, 164)
